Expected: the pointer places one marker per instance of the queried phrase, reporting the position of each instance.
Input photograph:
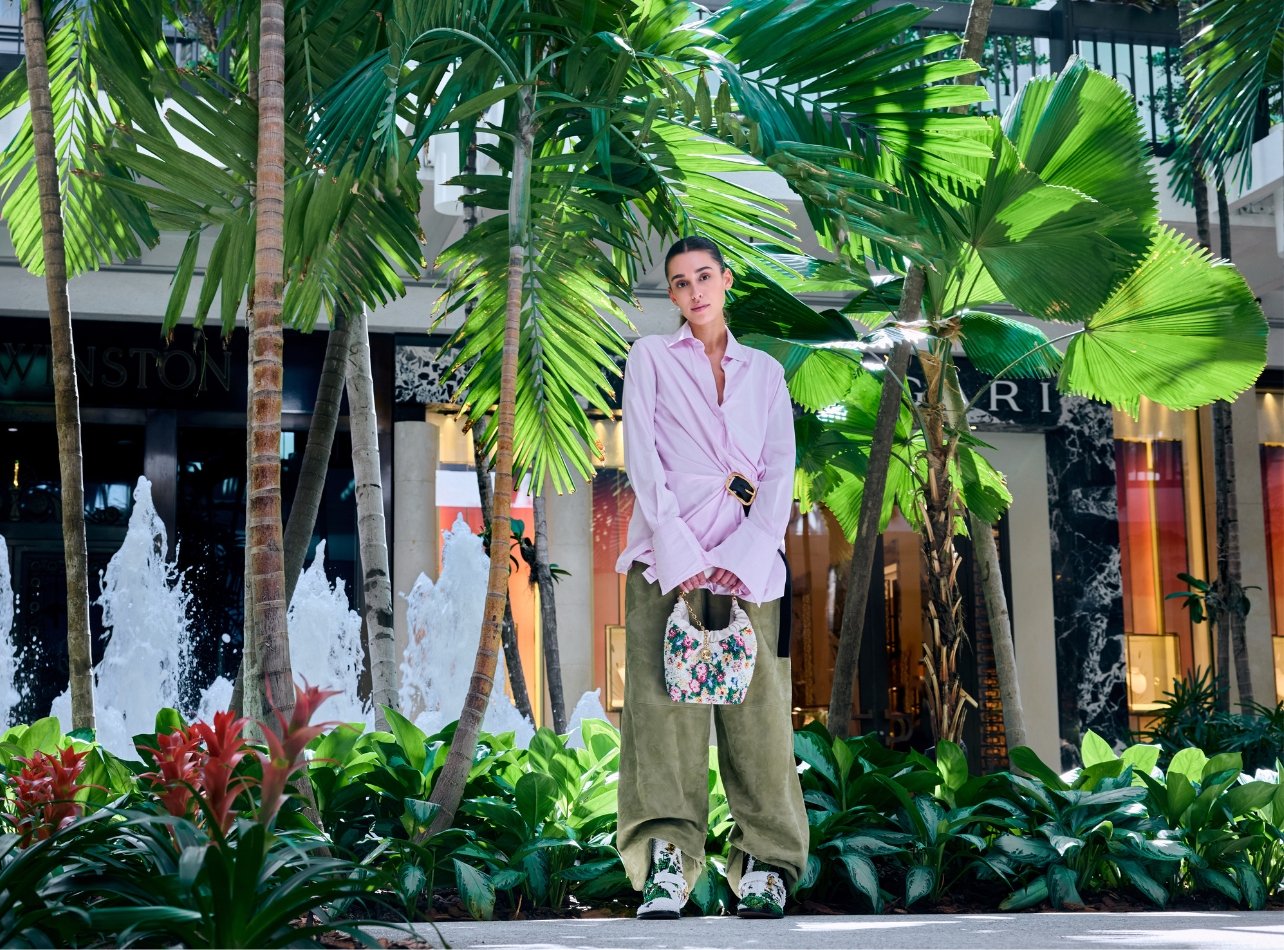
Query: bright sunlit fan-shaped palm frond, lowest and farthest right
(1182, 331)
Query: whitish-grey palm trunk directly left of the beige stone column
(372, 535)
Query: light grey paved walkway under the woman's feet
(1052, 931)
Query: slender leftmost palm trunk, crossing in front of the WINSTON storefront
(66, 395)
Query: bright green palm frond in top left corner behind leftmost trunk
(98, 56)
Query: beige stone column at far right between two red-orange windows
(1253, 551)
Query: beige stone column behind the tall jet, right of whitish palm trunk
(417, 536)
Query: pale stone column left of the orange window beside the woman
(571, 546)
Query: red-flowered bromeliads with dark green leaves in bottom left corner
(198, 853)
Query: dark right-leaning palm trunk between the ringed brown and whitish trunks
(317, 454)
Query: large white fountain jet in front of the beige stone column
(445, 623)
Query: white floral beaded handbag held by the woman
(709, 667)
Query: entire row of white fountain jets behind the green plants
(147, 663)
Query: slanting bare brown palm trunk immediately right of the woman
(866, 542)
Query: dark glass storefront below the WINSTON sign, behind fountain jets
(174, 413)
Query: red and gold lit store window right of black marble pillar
(1161, 527)
